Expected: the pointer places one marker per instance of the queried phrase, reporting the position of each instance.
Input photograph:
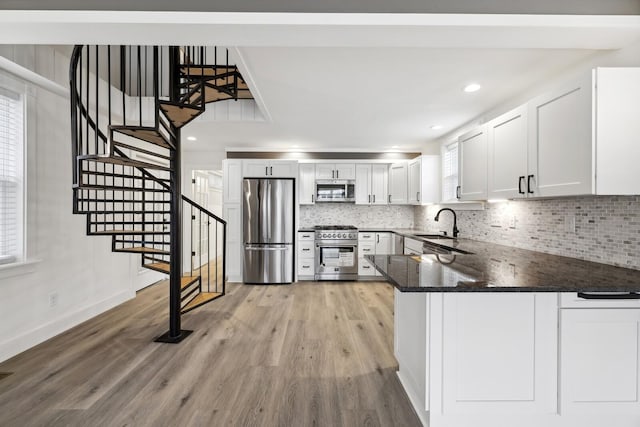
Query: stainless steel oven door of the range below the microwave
(336, 260)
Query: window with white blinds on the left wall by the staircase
(11, 177)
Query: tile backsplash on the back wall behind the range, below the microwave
(357, 215)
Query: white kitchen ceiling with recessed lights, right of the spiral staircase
(375, 98)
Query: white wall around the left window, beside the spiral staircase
(86, 276)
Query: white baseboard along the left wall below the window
(42, 333)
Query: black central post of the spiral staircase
(175, 334)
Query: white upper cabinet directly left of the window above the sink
(424, 180)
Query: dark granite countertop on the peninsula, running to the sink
(496, 268)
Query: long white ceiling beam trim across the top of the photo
(319, 29)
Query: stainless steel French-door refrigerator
(268, 218)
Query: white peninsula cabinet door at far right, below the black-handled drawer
(599, 358)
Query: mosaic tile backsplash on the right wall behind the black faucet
(601, 229)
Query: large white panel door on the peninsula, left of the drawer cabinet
(500, 353)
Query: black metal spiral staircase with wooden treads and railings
(128, 104)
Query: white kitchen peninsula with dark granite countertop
(490, 335)
